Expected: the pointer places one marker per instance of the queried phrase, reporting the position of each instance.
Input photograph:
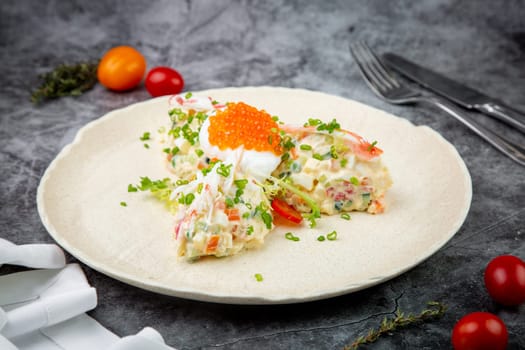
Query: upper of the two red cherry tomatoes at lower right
(505, 280)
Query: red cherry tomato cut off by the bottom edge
(480, 331)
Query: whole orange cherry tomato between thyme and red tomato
(122, 68)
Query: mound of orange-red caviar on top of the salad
(243, 125)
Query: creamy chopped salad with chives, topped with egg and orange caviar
(235, 168)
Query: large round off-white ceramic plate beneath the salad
(80, 193)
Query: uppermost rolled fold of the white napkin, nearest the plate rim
(47, 256)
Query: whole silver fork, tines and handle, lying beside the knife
(386, 86)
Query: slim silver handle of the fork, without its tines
(513, 150)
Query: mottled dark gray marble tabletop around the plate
(301, 44)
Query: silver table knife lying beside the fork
(456, 92)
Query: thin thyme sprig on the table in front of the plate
(435, 310)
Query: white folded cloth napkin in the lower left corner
(45, 309)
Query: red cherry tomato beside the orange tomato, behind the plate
(162, 81)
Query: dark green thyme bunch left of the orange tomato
(66, 80)
